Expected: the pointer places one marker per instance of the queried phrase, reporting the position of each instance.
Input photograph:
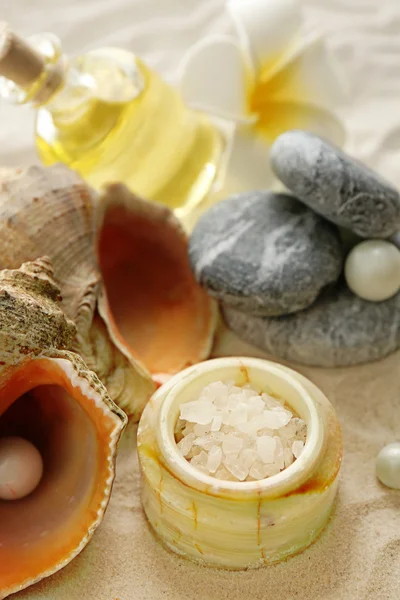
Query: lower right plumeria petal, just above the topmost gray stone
(283, 116)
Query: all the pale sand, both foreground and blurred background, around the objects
(358, 557)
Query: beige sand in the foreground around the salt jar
(356, 558)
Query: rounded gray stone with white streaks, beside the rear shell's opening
(265, 253)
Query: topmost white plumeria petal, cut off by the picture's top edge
(266, 28)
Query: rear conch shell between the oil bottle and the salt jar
(122, 267)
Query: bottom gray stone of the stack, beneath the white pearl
(340, 329)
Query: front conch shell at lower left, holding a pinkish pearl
(48, 396)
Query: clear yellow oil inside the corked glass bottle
(159, 148)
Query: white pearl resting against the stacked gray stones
(372, 270)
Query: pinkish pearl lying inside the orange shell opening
(21, 468)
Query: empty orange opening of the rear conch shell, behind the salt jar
(160, 311)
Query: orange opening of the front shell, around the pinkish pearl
(43, 531)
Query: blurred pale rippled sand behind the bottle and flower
(365, 35)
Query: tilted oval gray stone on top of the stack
(335, 185)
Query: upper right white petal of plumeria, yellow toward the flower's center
(309, 74)
